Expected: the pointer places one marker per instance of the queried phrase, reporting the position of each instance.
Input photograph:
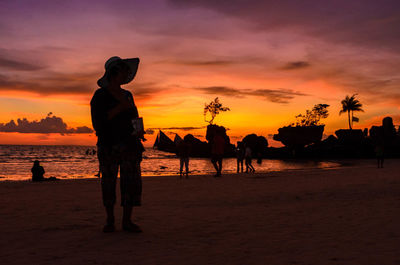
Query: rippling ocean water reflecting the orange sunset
(72, 162)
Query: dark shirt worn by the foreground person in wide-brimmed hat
(115, 130)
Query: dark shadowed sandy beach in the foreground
(348, 215)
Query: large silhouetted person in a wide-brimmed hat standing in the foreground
(115, 119)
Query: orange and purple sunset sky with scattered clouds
(266, 60)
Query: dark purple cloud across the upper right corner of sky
(367, 23)
